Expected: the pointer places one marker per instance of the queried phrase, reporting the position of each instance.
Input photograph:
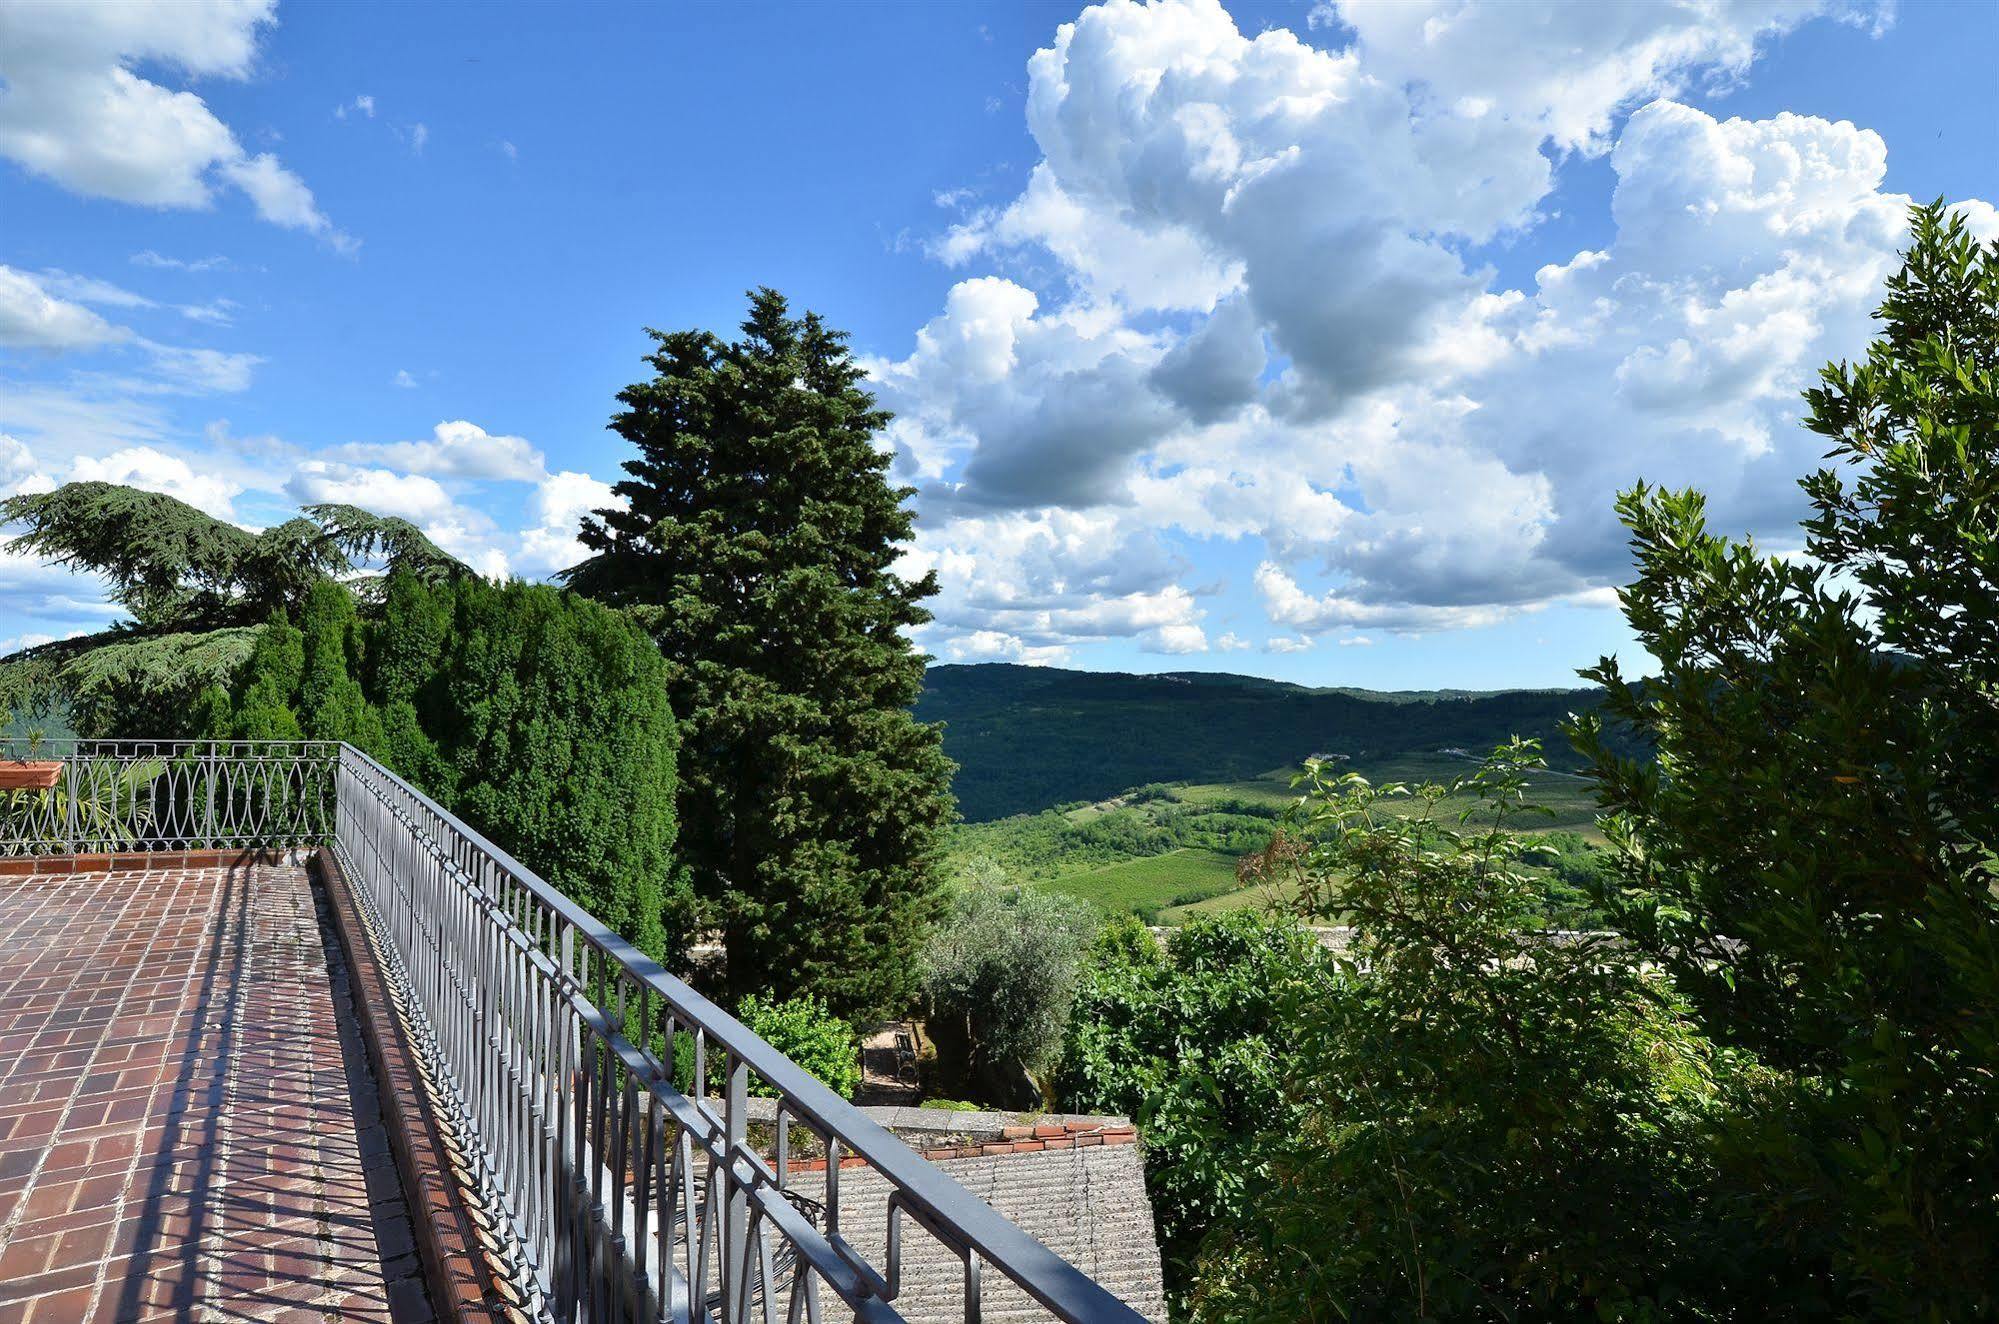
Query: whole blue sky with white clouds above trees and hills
(1302, 341)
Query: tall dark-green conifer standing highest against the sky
(759, 545)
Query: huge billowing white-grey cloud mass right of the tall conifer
(1246, 301)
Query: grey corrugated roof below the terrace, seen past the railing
(1086, 1205)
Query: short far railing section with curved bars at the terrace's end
(167, 795)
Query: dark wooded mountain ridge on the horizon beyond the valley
(1030, 737)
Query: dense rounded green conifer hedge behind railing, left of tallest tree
(537, 715)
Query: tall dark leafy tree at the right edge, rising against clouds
(1812, 855)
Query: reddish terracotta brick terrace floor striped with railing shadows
(189, 1125)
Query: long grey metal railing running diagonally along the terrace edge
(603, 1101)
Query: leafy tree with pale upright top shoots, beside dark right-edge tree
(1484, 1121)
